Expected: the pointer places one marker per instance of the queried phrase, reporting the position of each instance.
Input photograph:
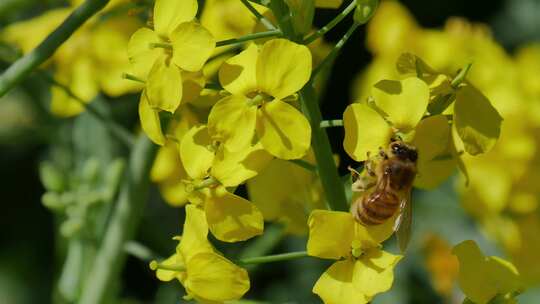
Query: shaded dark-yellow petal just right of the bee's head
(435, 160)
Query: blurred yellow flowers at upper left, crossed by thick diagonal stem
(85, 71)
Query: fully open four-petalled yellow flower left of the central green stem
(259, 87)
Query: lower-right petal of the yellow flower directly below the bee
(374, 272)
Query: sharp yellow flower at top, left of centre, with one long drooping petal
(166, 57)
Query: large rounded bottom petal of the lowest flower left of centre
(214, 278)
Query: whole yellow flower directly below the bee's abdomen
(362, 270)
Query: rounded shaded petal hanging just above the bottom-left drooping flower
(232, 218)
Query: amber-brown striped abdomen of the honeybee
(377, 207)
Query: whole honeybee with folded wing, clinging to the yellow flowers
(386, 189)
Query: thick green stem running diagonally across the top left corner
(22, 67)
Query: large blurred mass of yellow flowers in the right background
(501, 193)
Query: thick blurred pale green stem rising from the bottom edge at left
(111, 256)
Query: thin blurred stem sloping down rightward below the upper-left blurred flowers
(116, 130)
